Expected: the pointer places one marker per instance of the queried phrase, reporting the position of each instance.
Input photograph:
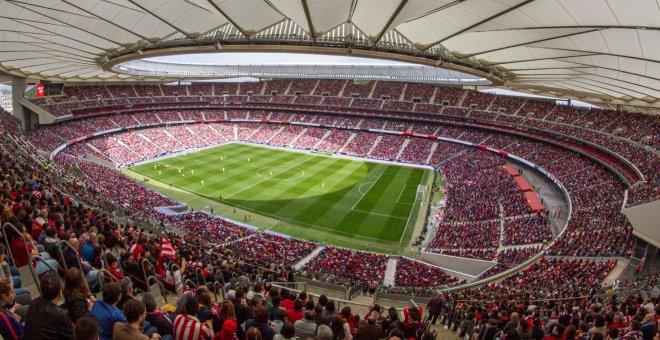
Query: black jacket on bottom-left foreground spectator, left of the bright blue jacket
(45, 320)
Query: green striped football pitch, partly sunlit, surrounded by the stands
(349, 197)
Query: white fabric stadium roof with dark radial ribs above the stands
(599, 50)
